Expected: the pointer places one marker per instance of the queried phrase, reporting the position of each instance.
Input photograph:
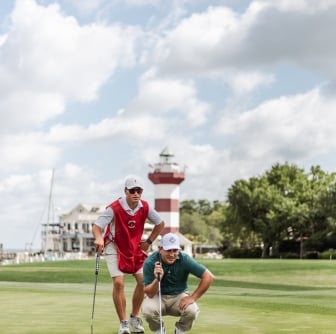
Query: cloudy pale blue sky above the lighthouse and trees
(93, 90)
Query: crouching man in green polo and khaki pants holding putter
(170, 268)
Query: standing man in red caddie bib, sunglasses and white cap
(118, 235)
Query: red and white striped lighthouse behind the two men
(167, 177)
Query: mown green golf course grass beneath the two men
(247, 297)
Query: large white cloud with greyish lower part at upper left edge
(48, 59)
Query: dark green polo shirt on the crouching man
(175, 278)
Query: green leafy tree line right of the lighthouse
(283, 212)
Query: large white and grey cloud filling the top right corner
(219, 40)
